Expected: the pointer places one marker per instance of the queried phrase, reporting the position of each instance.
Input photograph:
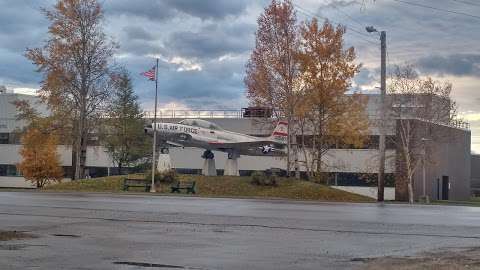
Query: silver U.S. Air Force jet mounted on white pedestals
(209, 136)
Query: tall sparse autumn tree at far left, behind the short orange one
(76, 63)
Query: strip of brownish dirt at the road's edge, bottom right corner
(445, 260)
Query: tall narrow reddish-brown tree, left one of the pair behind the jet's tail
(272, 70)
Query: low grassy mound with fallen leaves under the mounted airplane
(224, 186)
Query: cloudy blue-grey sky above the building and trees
(203, 45)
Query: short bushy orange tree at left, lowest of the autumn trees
(40, 161)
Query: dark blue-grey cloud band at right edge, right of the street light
(454, 64)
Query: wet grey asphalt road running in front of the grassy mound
(105, 231)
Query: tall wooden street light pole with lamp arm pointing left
(381, 146)
